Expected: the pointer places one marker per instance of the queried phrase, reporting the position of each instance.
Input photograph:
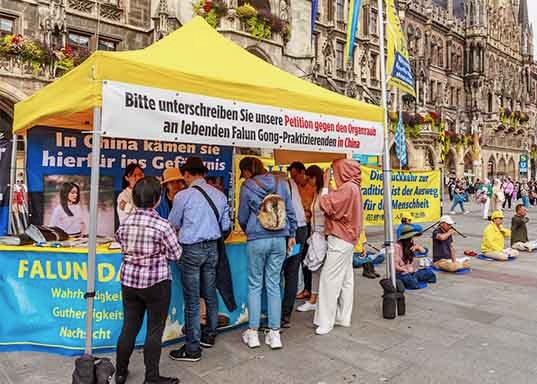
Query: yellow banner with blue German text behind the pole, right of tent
(414, 192)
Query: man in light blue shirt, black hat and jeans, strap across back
(199, 231)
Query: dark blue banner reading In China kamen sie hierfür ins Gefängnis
(57, 157)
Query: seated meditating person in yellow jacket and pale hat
(493, 243)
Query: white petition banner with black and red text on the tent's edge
(137, 112)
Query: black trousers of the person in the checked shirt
(154, 300)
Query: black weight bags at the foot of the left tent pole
(92, 370)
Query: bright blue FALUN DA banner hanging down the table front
(43, 306)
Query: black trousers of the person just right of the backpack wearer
(291, 266)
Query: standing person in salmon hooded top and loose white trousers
(344, 219)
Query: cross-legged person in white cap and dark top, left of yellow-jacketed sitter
(443, 250)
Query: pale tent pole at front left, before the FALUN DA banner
(92, 233)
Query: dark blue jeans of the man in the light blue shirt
(198, 276)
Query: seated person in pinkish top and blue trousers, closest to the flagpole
(404, 261)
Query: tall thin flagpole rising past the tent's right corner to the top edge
(388, 227)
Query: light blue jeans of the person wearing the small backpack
(265, 259)
